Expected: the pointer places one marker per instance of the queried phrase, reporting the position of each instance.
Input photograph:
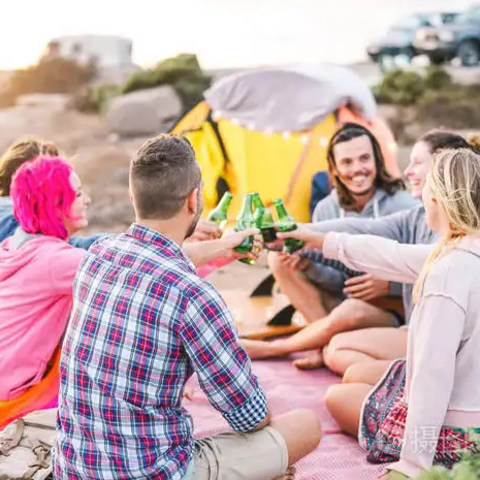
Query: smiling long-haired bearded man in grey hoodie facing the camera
(362, 189)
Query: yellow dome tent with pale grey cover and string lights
(267, 131)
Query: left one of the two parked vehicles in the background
(399, 40)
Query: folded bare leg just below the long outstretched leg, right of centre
(349, 348)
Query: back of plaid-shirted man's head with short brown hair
(163, 173)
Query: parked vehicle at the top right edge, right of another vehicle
(460, 38)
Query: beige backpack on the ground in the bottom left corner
(25, 447)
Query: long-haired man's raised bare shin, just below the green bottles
(305, 297)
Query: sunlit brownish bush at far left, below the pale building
(57, 75)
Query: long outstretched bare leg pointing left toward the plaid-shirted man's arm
(349, 315)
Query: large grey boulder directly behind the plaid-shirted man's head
(144, 112)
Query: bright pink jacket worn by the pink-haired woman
(36, 279)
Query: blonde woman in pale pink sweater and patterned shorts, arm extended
(419, 412)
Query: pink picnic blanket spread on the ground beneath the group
(338, 457)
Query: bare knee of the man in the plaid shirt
(301, 431)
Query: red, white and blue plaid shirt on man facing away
(142, 323)
